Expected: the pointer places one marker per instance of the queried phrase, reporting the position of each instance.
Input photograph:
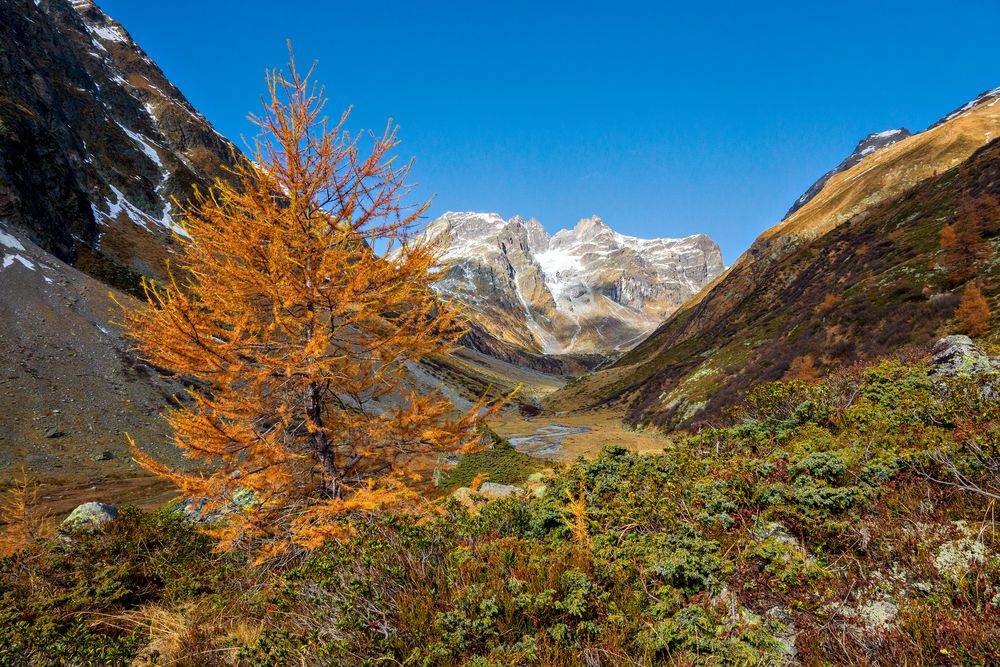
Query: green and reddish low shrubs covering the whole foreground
(842, 521)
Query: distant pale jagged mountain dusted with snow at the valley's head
(586, 289)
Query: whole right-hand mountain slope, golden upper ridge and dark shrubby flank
(838, 289)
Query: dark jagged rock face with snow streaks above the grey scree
(94, 141)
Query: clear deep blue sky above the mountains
(664, 118)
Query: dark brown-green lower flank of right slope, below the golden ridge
(764, 313)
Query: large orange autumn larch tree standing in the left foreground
(302, 300)
